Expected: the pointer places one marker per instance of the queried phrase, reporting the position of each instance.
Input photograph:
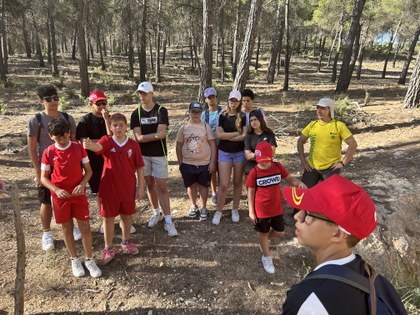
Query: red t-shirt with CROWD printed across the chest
(268, 191)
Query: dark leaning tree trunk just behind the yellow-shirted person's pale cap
(346, 71)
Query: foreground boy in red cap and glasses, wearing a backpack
(334, 216)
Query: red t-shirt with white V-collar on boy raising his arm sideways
(121, 162)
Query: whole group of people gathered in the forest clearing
(331, 216)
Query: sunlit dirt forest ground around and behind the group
(206, 269)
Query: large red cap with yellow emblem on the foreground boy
(342, 201)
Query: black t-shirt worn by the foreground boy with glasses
(335, 296)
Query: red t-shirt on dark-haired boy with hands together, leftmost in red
(66, 165)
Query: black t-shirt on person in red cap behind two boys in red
(92, 127)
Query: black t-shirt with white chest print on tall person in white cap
(149, 123)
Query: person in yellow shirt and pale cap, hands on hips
(326, 135)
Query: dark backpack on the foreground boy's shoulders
(383, 299)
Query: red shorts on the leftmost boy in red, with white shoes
(68, 208)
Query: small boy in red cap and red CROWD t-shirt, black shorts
(264, 199)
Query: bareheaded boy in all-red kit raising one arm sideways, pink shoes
(122, 160)
